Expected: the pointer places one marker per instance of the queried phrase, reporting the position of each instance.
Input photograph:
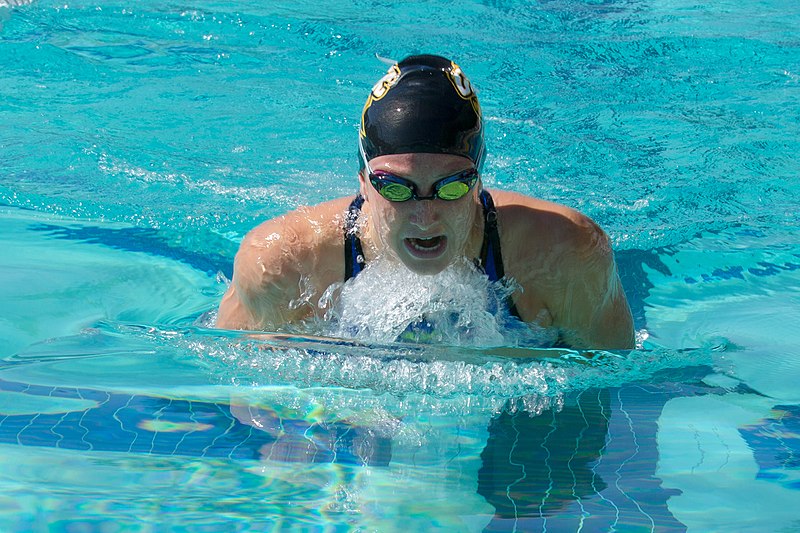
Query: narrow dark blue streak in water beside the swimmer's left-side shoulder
(145, 240)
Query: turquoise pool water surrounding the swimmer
(139, 142)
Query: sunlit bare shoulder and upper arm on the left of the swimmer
(280, 262)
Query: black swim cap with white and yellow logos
(424, 104)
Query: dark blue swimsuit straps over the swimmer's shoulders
(491, 261)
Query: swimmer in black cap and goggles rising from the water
(421, 204)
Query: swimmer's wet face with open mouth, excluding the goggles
(426, 235)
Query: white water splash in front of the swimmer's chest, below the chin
(387, 302)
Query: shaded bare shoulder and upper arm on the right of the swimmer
(565, 266)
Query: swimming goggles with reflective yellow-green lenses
(397, 189)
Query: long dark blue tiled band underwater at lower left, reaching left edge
(151, 425)
